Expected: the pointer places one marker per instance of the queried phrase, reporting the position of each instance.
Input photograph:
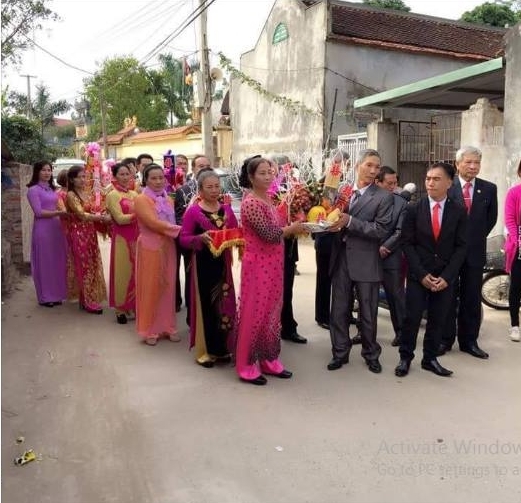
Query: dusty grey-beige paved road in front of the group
(113, 420)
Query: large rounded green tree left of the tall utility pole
(127, 90)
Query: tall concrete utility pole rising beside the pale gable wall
(206, 108)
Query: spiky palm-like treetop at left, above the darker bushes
(42, 109)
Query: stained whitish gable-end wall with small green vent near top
(291, 68)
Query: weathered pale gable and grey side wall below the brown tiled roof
(307, 68)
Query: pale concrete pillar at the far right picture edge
(513, 103)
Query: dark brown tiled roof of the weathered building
(360, 24)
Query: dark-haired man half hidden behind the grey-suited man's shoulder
(391, 254)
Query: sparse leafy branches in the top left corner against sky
(20, 18)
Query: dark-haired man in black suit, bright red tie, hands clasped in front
(434, 238)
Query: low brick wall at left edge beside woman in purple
(17, 223)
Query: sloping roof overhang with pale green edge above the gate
(455, 90)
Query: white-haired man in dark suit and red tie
(479, 197)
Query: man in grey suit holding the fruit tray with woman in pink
(355, 261)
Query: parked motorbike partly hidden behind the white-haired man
(496, 281)
